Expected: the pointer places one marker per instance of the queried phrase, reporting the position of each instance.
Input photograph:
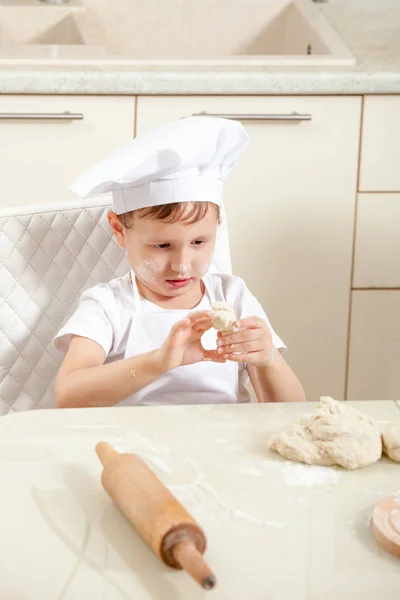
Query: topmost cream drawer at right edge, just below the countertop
(380, 148)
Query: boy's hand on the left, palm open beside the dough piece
(183, 345)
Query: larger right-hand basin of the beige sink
(211, 32)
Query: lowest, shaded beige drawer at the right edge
(374, 372)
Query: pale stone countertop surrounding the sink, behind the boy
(370, 28)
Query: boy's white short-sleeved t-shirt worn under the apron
(106, 311)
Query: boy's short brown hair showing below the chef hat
(171, 213)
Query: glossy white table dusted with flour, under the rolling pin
(276, 530)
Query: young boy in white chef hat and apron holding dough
(147, 338)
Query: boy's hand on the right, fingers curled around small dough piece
(251, 343)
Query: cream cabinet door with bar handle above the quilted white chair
(40, 157)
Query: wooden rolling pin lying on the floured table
(161, 521)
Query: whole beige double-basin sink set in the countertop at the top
(171, 32)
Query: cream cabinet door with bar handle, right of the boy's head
(290, 209)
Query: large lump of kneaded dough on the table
(336, 434)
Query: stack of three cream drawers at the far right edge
(374, 350)
